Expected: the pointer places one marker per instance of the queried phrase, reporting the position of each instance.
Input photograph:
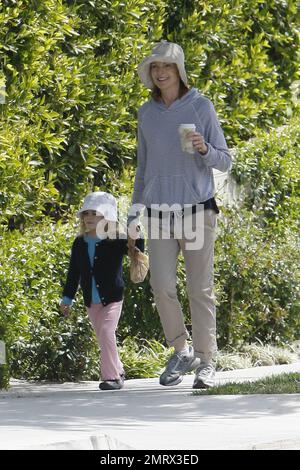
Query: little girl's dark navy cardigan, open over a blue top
(107, 269)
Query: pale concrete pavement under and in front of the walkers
(145, 415)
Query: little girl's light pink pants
(105, 321)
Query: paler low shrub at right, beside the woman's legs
(257, 281)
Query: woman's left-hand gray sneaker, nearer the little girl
(177, 366)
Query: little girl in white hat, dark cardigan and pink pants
(96, 263)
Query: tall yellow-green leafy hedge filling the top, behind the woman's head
(69, 67)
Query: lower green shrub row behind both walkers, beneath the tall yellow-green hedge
(257, 273)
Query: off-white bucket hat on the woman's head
(164, 51)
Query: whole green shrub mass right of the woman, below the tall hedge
(257, 250)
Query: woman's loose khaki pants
(199, 264)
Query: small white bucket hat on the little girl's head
(103, 203)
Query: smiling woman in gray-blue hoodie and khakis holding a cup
(168, 180)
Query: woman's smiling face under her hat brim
(165, 75)
